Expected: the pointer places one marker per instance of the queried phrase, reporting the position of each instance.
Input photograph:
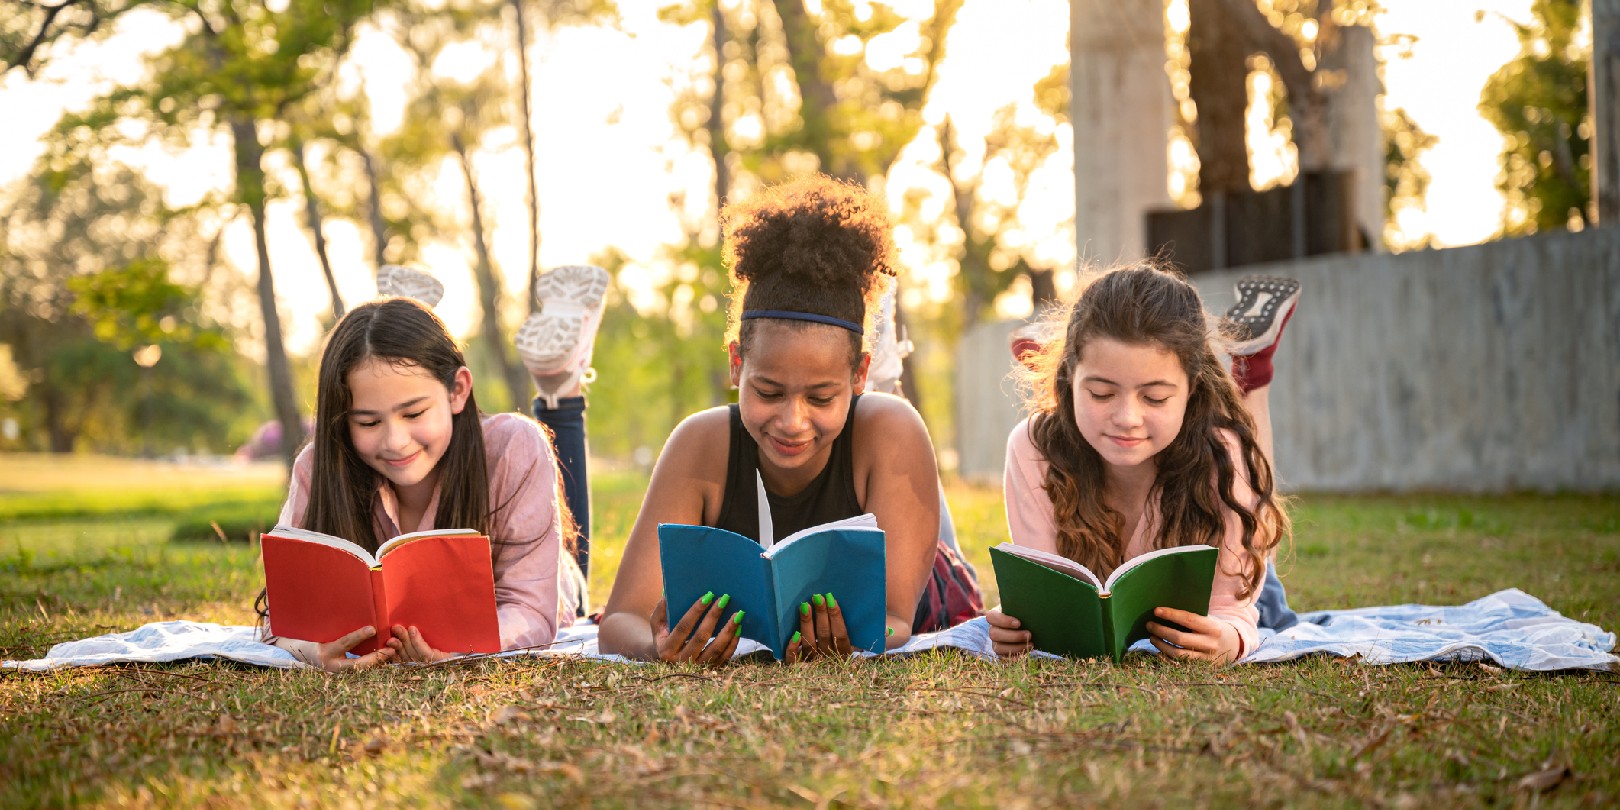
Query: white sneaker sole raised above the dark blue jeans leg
(561, 336)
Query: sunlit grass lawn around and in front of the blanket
(87, 550)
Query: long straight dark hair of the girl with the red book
(407, 335)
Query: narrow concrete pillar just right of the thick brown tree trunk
(1355, 135)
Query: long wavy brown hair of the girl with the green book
(1196, 475)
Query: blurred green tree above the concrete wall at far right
(1538, 103)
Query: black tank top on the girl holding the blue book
(830, 497)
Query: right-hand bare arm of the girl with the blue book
(895, 461)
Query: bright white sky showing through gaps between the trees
(608, 168)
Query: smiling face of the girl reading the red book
(401, 420)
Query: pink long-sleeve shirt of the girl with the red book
(537, 581)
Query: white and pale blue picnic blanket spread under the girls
(1511, 629)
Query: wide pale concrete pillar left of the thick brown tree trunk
(1122, 111)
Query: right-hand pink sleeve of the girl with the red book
(526, 531)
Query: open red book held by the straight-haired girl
(441, 582)
